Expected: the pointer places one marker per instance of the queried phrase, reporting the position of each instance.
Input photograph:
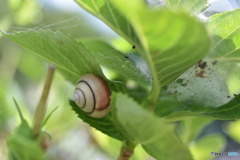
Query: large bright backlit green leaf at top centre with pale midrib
(170, 44)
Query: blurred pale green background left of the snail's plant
(22, 76)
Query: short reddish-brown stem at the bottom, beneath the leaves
(126, 151)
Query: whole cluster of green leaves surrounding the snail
(171, 41)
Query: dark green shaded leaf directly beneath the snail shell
(104, 125)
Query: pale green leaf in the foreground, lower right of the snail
(140, 126)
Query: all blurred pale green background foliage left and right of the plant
(22, 76)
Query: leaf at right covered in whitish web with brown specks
(194, 92)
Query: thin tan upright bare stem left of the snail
(41, 108)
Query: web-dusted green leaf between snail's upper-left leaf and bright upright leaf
(114, 60)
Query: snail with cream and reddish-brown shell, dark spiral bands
(92, 95)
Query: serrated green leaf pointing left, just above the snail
(70, 56)
